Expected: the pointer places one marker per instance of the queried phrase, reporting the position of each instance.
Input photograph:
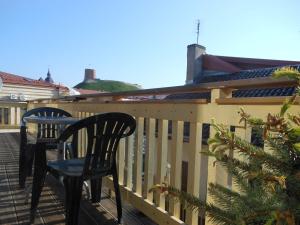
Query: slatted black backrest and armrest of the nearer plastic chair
(104, 132)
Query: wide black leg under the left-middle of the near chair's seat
(73, 191)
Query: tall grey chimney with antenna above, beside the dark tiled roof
(194, 61)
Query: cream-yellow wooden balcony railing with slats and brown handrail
(155, 153)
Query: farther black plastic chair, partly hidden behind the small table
(27, 146)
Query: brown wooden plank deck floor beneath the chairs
(13, 210)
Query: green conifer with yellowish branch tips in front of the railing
(267, 182)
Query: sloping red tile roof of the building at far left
(8, 78)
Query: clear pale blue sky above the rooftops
(141, 42)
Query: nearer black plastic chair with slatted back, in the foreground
(104, 132)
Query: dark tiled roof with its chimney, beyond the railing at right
(208, 68)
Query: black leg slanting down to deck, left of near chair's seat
(40, 170)
